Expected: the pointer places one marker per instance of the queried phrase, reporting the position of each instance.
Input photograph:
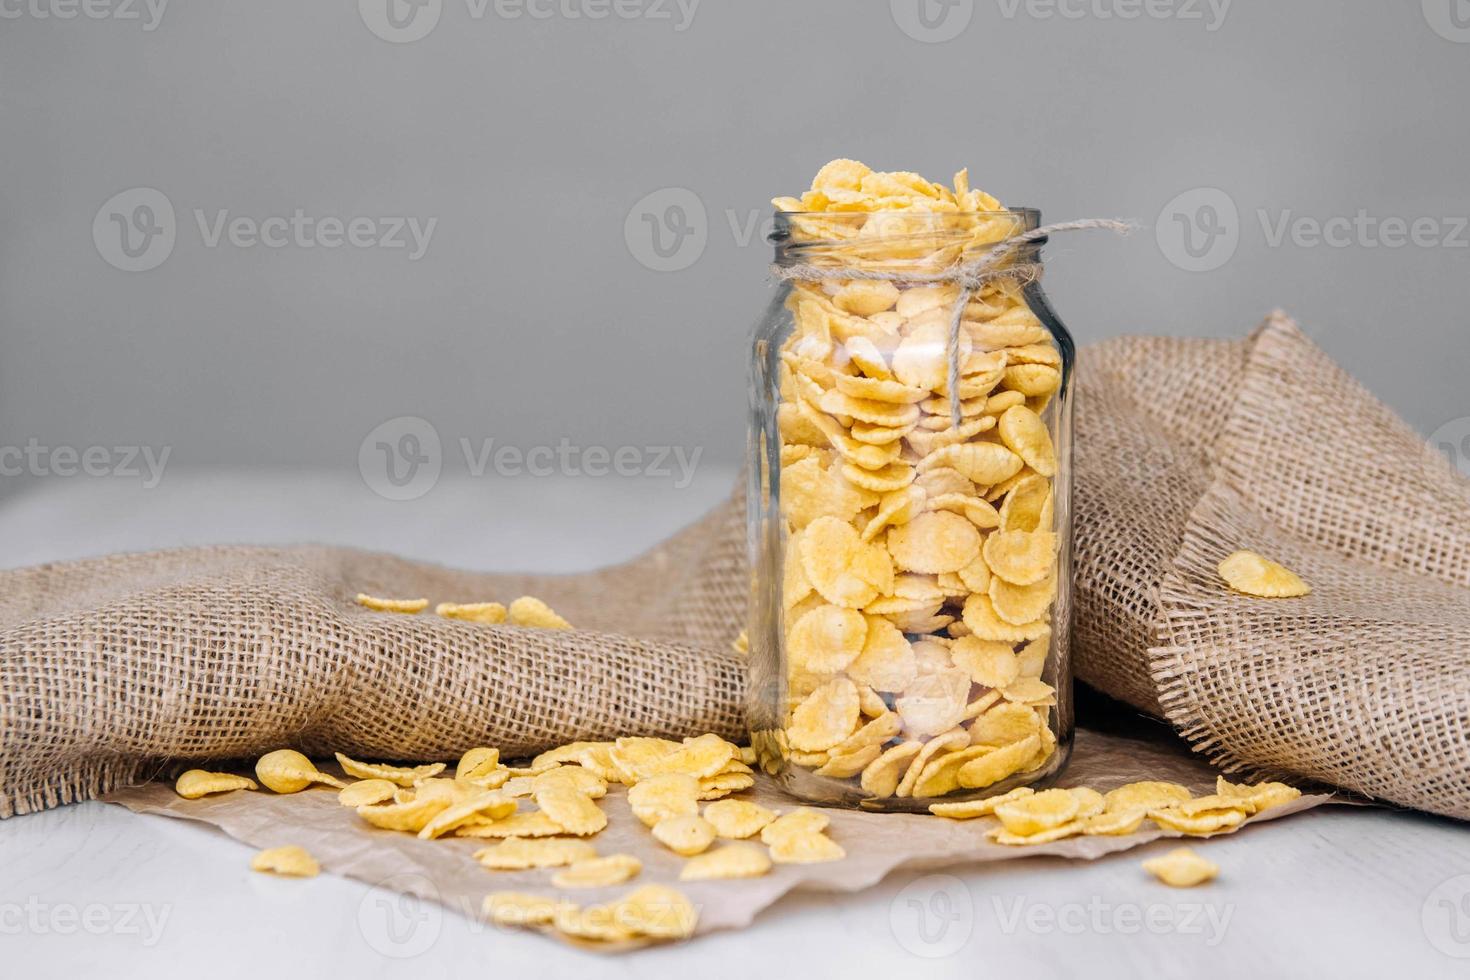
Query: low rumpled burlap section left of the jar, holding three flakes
(112, 668)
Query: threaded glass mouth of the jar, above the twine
(897, 240)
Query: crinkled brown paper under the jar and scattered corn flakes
(877, 844)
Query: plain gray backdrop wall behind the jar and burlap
(549, 142)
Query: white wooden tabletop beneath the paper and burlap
(1341, 893)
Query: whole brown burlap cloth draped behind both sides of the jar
(118, 669)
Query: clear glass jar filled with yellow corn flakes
(911, 577)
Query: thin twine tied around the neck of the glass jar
(969, 277)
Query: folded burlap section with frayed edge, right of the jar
(1190, 450)
